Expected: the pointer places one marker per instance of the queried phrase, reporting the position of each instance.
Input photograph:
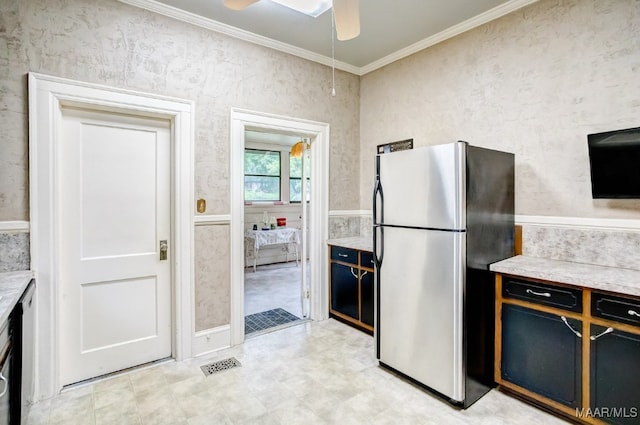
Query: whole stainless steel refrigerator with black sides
(441, 215)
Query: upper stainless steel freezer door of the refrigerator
(424, 187)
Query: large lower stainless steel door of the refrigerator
(420, 307)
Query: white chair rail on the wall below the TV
(579, 222)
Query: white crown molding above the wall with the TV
(476, 21)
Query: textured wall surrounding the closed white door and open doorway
(107, 42)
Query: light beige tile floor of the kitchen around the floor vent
(314, 373)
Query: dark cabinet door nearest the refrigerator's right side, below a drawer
(541, 353)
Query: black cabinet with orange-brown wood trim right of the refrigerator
(573, 349)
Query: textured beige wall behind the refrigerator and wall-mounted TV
(534, 83)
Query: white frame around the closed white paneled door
(47, 95)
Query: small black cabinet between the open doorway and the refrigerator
(351, 284)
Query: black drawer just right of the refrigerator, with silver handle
(539, 293)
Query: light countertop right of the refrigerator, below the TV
(623, 281)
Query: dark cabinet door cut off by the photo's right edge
(615, 375)
